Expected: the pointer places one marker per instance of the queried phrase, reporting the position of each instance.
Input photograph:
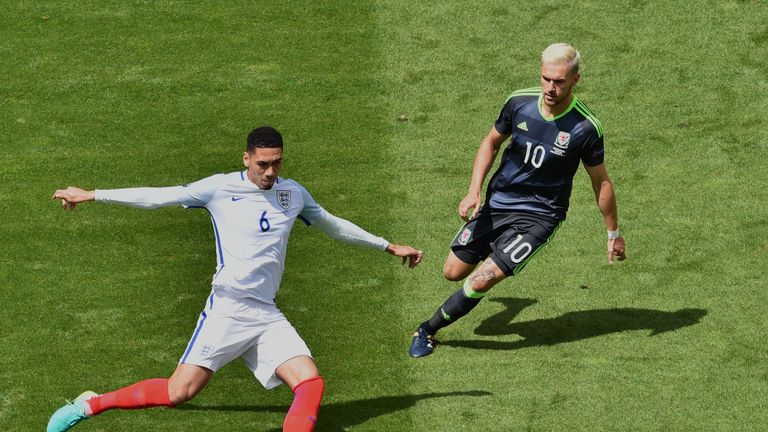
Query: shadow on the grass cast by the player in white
(343, 415)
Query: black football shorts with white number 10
(510, 238)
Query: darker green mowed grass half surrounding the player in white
(162, 94)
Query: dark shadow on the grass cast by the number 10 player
(573, 326)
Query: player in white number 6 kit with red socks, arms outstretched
(252, 212)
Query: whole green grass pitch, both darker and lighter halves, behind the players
(382, 105)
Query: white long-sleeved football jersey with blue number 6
(251, 226)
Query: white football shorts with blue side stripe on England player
(229, 328)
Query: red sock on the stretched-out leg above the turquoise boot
(144, 394)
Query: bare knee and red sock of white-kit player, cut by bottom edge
(301, 374)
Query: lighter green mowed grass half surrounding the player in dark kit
(570, 343)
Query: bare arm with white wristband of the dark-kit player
(606, 202)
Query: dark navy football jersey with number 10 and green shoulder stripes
(543, 154)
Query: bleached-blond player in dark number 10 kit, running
(551, 131)
